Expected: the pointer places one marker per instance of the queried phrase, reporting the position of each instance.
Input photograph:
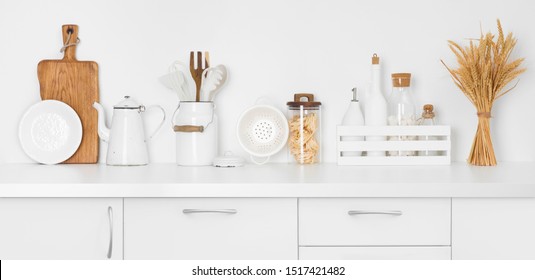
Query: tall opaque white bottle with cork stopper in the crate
(375, 107)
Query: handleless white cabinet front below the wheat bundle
(493, 228)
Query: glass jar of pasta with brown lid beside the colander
(304, 144)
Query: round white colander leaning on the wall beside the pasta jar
(262, 131)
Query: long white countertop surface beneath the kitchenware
(271, 180)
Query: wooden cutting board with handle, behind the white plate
(75, 83)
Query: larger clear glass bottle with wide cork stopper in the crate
(401, 109)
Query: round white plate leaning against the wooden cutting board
(50, 132)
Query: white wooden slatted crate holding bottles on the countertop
(440, 135)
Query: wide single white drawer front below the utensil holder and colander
(210, 228)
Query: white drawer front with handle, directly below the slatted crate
(374, 221)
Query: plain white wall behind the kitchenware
(273, 48)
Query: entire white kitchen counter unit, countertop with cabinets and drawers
(398, 212)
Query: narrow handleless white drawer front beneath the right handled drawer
(375, 253)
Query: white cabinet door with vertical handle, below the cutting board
(61, 228)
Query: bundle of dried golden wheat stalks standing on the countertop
(483, 73)
